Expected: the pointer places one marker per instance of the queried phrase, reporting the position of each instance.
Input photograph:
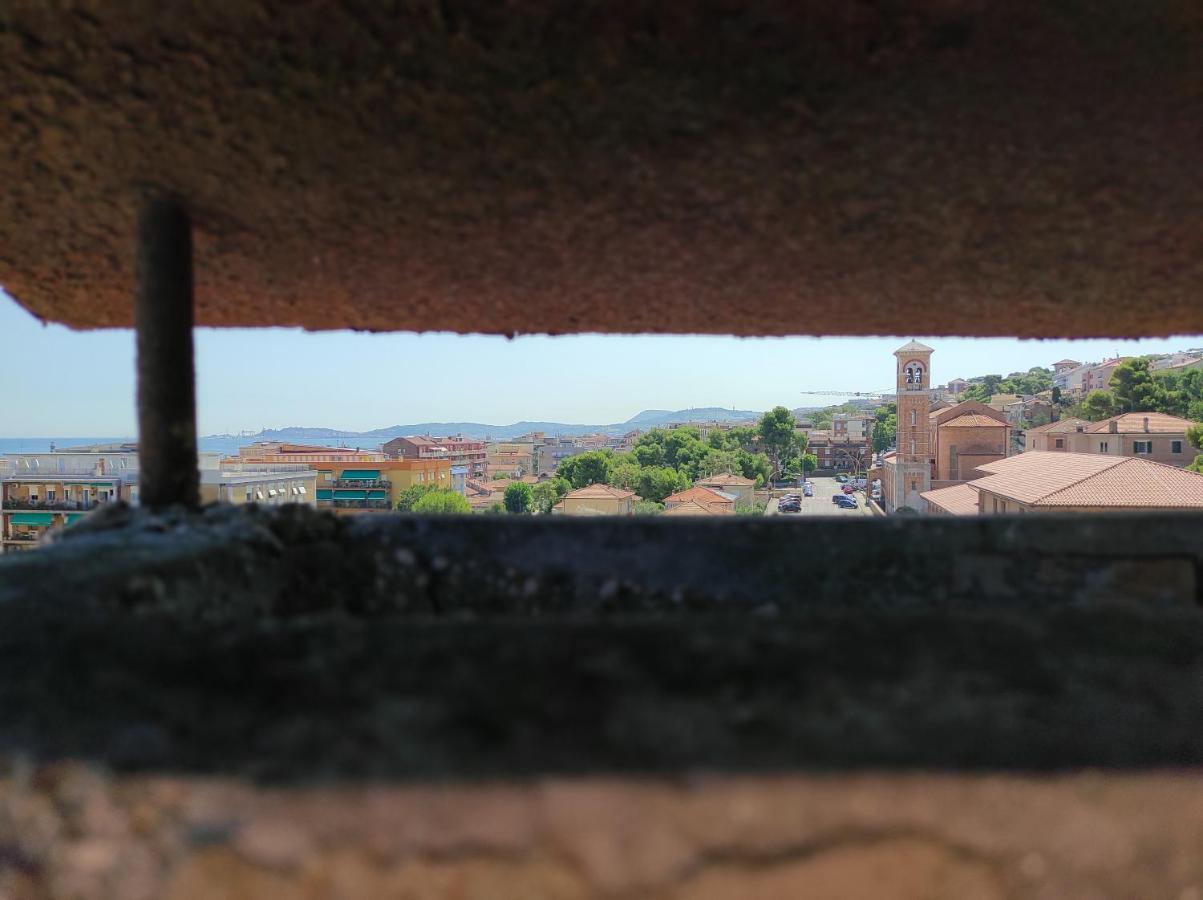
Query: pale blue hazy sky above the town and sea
(61, 383)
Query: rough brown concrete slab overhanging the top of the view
(943, 167)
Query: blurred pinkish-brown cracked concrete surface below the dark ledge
(70, 832)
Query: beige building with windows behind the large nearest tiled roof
(1152, 436)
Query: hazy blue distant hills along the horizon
(644, 421)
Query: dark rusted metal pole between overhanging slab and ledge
(167, 378)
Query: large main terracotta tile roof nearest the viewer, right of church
(1060, 479)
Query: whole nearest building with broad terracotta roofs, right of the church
(1041, 482)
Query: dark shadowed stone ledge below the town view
(291, 646)
